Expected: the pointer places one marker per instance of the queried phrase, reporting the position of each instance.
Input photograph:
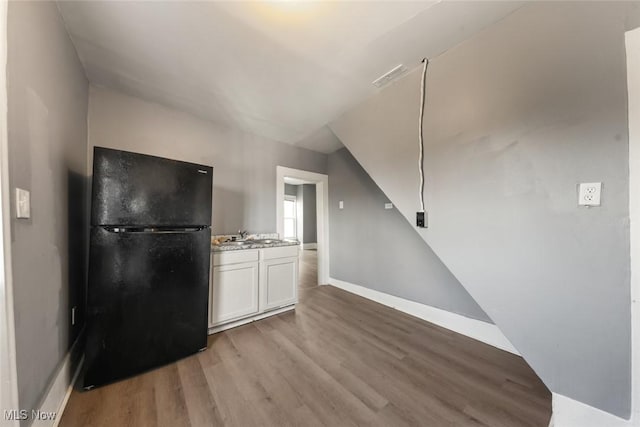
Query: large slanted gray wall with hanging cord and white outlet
(516, 117)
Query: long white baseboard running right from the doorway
(482, 331)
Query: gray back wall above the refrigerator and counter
(244, 165)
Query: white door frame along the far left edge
(8, 376)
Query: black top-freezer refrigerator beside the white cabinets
(147, 296)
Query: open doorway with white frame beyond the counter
(307, 192)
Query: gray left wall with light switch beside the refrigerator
(47, 125)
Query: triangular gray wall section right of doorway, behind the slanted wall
(376, 248)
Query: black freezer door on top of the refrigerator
(139, 190)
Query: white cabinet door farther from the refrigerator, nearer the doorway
(279, 283)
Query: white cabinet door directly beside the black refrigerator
(234, 292)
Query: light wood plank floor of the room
(338, 360)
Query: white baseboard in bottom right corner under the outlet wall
(571, 413)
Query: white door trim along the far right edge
(632, 39)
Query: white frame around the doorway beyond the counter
(322, 212)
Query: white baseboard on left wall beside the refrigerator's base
(60, 389)
